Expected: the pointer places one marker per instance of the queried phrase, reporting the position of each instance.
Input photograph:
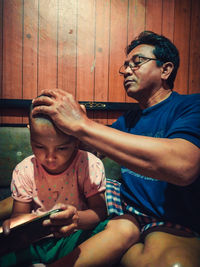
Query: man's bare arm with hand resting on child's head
(172, 160)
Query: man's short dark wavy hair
(165, 51)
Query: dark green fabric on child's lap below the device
(49, 249)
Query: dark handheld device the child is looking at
(24, 234)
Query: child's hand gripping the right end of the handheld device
(65, 222)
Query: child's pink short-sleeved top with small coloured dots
(84, 178)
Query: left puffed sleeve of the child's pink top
(21, 185)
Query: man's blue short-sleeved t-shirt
(178, 116)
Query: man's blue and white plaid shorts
(116, 206)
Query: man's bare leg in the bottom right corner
(162, 249)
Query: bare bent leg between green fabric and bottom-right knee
(106, 247)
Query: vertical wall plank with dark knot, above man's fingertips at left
(30, 49)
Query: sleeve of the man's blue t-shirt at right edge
(187, 124)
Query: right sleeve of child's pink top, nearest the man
(94, 181)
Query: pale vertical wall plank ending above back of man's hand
(67, 45)
